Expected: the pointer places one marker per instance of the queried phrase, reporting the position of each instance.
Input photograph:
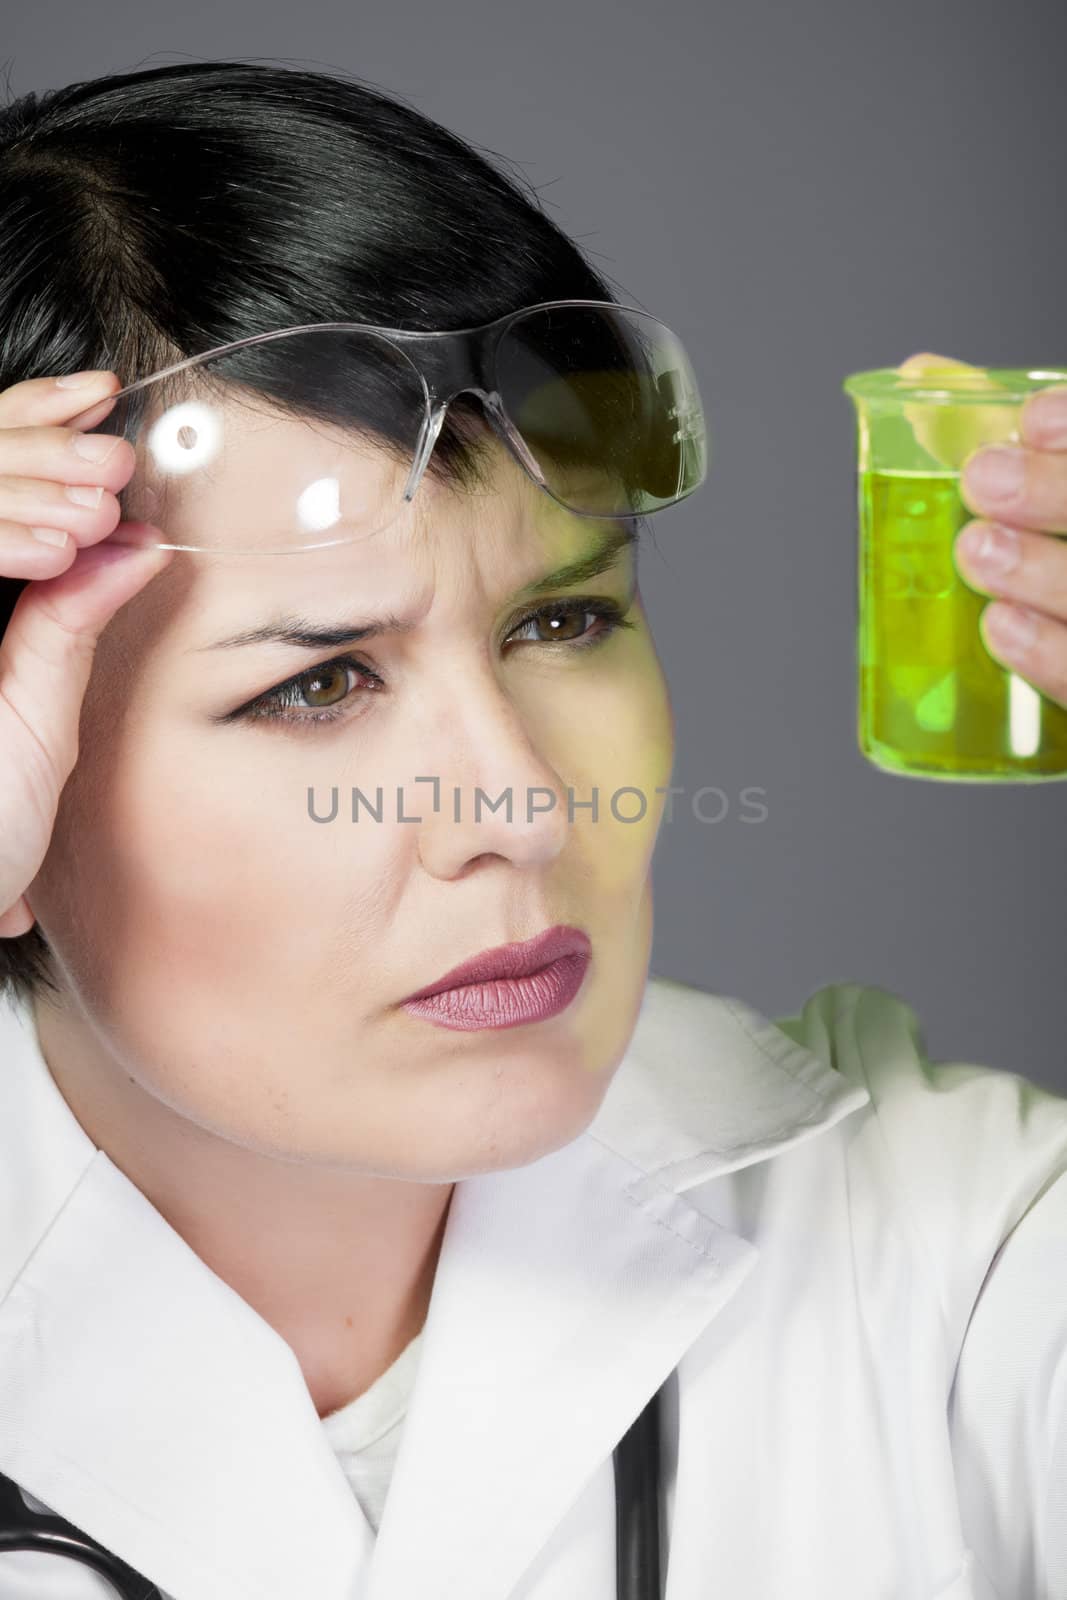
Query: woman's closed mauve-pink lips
(510, 985)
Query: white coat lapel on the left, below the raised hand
(140, 1396)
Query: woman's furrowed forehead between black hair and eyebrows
(270, 476)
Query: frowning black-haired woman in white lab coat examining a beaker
(255, 1190)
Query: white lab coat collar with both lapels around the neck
(135, 1383)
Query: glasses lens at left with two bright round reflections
(290, 442)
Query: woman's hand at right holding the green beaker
(1012, 550)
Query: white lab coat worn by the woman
(794, 1223)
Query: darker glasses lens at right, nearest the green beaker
(609, 407)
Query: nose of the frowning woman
(490, 794)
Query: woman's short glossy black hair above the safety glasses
(153, 215)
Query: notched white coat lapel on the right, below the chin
(570, 1289)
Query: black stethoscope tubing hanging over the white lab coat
(636, 1524)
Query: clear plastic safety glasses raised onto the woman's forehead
(321, 434)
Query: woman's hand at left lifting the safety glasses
(78, 586)
